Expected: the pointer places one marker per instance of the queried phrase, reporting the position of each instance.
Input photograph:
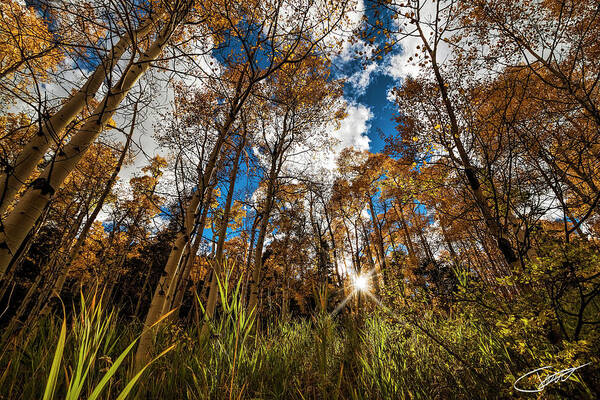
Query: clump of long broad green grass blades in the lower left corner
(76, 370)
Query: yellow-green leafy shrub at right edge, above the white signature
(543, 315)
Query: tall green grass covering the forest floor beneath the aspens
(378, 356)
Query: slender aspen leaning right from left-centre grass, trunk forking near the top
(273, 47)
